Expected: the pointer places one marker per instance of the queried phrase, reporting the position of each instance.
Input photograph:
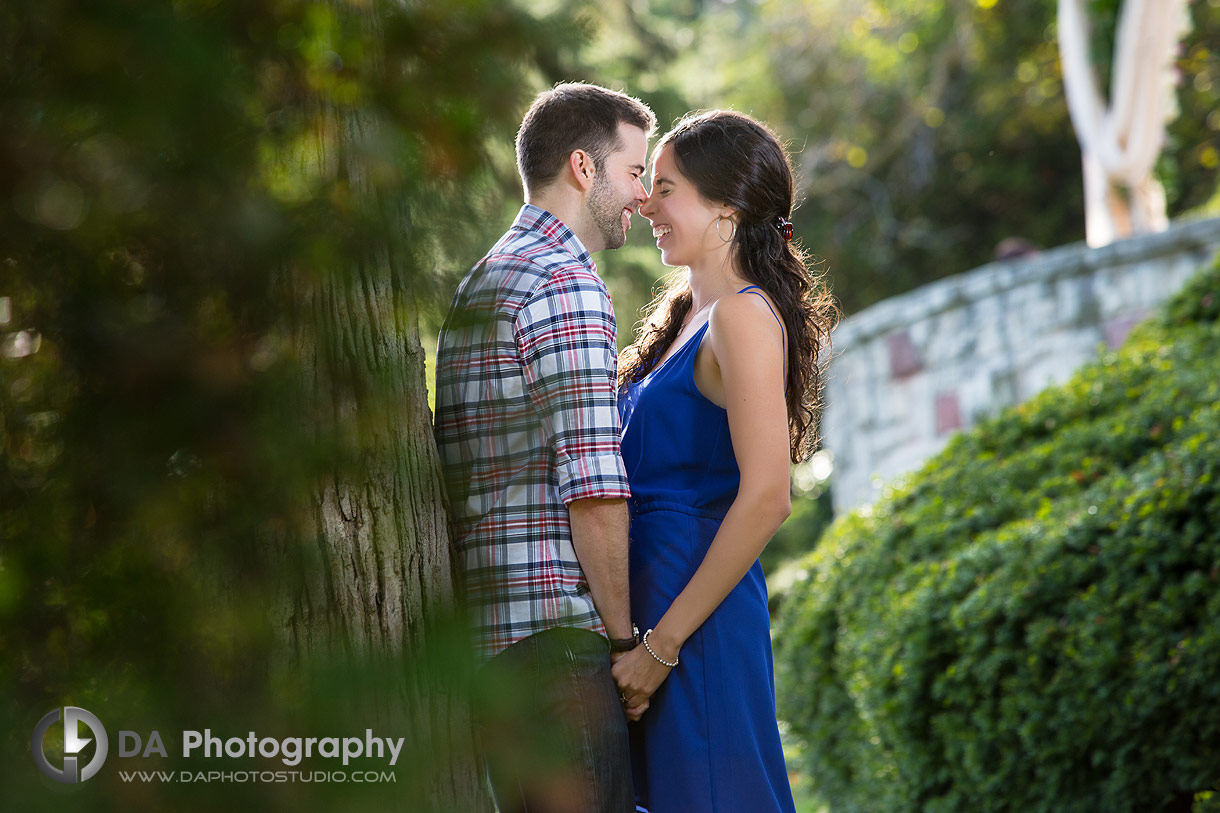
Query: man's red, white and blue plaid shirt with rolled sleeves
(526, 424)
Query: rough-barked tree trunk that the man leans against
(375, 582)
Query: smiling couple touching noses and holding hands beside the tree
(557, 452)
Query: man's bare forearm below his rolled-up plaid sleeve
(600, 535)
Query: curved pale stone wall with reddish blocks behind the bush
(911, 372)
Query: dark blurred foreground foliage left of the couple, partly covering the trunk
(171, 174)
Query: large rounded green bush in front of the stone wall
(1033, 622)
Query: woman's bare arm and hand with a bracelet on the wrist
(748, 352)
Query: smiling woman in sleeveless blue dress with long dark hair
(717, 395)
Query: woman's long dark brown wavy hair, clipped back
(735, 161)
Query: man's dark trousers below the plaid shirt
(552, 728)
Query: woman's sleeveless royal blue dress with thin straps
(709, 742)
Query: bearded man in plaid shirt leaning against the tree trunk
(529, 435)
